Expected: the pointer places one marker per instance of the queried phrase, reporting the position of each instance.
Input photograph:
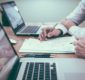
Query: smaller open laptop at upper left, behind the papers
(16, 21)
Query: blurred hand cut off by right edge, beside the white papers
(80, 47)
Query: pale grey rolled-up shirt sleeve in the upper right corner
(78, 14)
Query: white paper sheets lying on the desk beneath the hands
(57, 45)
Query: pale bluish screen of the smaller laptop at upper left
(13, 14)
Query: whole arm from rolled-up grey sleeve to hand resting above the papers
(75, 18)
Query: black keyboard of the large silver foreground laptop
(40, 71)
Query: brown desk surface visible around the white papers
(20, 40)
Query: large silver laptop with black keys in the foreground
(12, 67)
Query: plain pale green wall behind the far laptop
(45, 10)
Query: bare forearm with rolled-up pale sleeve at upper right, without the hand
(76, 17)
